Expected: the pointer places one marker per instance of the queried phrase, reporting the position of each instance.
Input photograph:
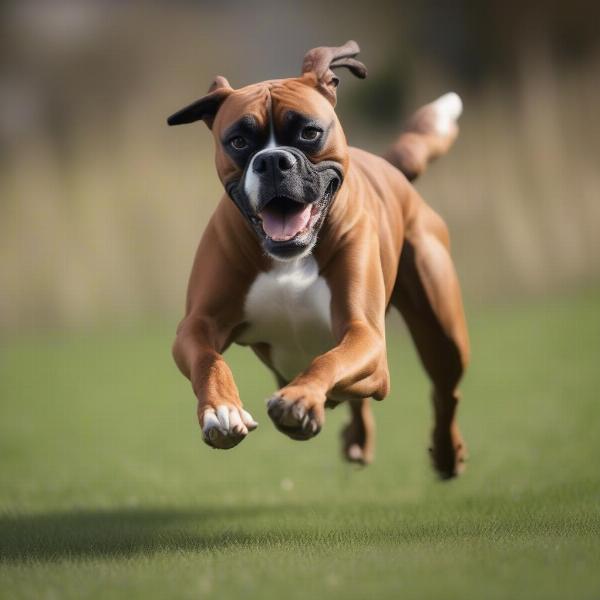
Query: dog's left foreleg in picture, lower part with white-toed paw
(222, 418)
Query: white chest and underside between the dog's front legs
(288, 308)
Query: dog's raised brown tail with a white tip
(428, 134)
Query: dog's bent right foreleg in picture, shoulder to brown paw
(357, 366)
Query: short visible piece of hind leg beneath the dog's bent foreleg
(358, 436)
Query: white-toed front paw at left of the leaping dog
(226, 426)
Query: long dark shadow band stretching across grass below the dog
(125, 532)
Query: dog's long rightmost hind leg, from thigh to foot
(427, 294)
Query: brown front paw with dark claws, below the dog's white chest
(297, 411)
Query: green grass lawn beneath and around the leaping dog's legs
(106, 490)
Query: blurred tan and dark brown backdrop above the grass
(102, 205)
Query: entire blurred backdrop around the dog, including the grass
(106, 488)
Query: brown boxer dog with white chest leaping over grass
(309, 247)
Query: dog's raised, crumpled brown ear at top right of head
(321, 61)
